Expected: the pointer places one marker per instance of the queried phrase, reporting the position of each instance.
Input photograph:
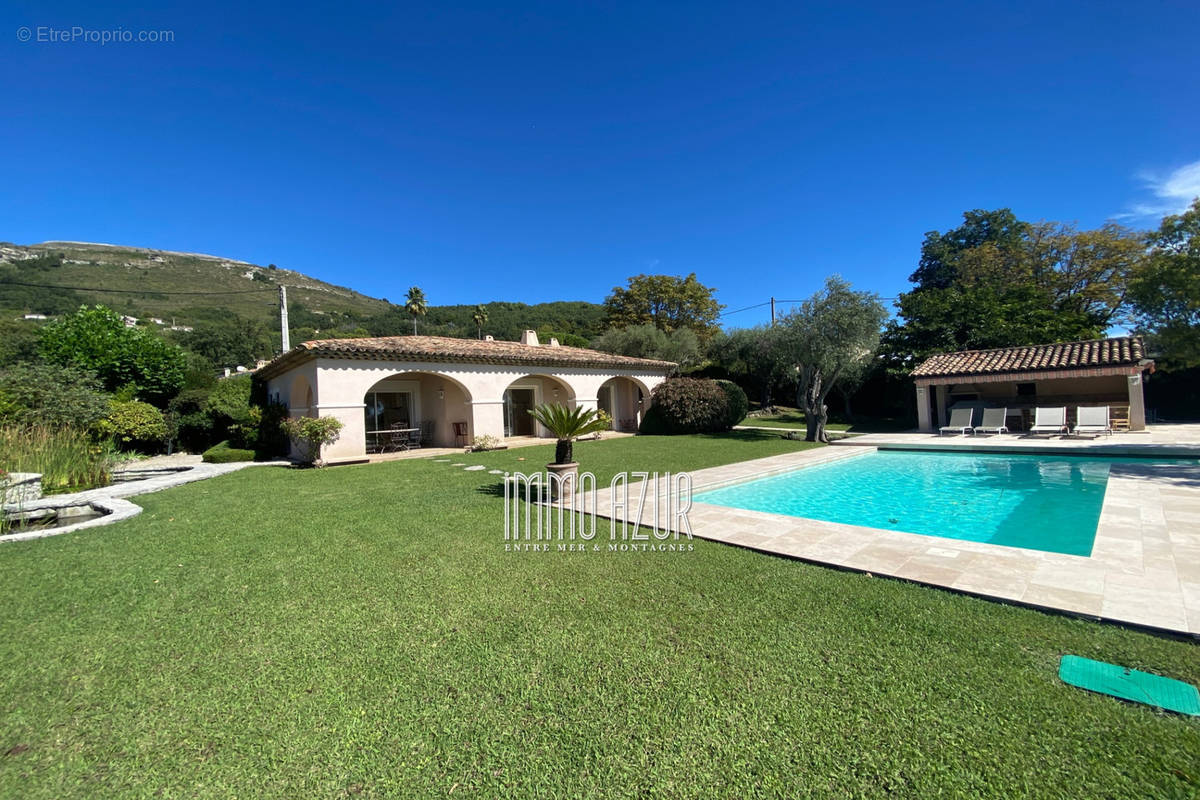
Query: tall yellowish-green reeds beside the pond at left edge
(68, 459)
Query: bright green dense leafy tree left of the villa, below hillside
(124, 358)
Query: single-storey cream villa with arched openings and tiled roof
(449, 392)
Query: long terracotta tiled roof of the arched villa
(443, 348)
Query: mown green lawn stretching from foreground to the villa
(359, 631)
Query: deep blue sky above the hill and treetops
(549, 152)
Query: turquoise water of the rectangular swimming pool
(1042, 503)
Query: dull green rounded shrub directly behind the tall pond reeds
(53, 396)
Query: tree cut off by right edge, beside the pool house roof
(1166, 297)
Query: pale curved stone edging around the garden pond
(112, 501)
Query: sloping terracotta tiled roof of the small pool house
(1066, 356)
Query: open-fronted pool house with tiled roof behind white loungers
(1096, 372)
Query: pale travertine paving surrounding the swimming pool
(1144, 569)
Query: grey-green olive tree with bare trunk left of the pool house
(832, 334)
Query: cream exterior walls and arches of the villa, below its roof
(472, 393)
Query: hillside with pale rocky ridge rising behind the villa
(239, 299)
